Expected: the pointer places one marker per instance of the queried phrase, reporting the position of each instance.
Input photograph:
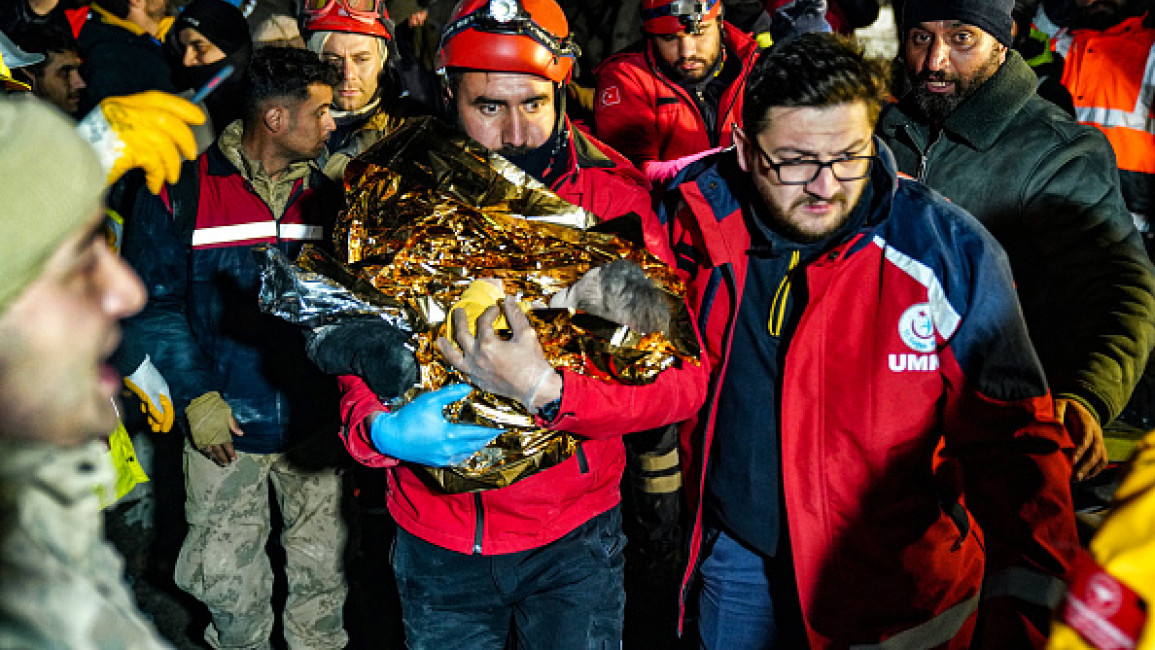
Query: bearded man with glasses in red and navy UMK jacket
(882, 460)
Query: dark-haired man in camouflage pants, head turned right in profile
(259, 414)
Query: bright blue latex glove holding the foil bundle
(420, 434)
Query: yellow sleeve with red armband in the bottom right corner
(1105, 606)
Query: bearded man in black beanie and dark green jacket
(1046, 186)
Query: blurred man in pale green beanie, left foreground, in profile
(65, 292)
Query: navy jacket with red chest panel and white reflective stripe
(203, 325)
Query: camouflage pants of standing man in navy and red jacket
(223, 563)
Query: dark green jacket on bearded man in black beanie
(1048, 190)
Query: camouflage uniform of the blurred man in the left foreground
(62, 586)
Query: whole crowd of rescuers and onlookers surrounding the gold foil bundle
(922, 293)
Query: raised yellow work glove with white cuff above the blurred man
(148, 131)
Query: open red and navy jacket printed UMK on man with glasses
(925, 475)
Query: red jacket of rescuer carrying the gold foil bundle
(547, 506)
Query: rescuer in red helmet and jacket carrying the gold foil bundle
(539, 563)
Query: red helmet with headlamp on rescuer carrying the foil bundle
(510, 36)
